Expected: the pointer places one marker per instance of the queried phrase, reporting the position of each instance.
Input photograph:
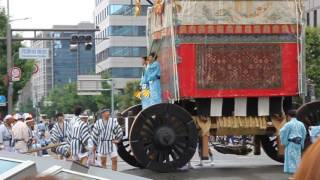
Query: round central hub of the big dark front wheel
(164, 137)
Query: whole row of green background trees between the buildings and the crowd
(65, 98)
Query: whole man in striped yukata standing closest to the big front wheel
(106, 133)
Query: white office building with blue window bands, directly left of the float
(121, 41)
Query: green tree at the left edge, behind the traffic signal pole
(26, 66)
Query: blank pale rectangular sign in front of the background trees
(89, 85)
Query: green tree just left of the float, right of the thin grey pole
(128, 99)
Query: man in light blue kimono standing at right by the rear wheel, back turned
(292, 136)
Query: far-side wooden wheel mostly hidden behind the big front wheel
(124, 149)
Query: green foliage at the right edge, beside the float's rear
(313, 56)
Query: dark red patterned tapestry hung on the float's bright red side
(239, 66)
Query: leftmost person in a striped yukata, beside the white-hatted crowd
(59, 134)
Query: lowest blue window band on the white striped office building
(125, 72)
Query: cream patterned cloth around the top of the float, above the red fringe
(227, 12)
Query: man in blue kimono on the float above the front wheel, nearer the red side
(152, 76)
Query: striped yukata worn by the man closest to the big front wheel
(103, 133)
